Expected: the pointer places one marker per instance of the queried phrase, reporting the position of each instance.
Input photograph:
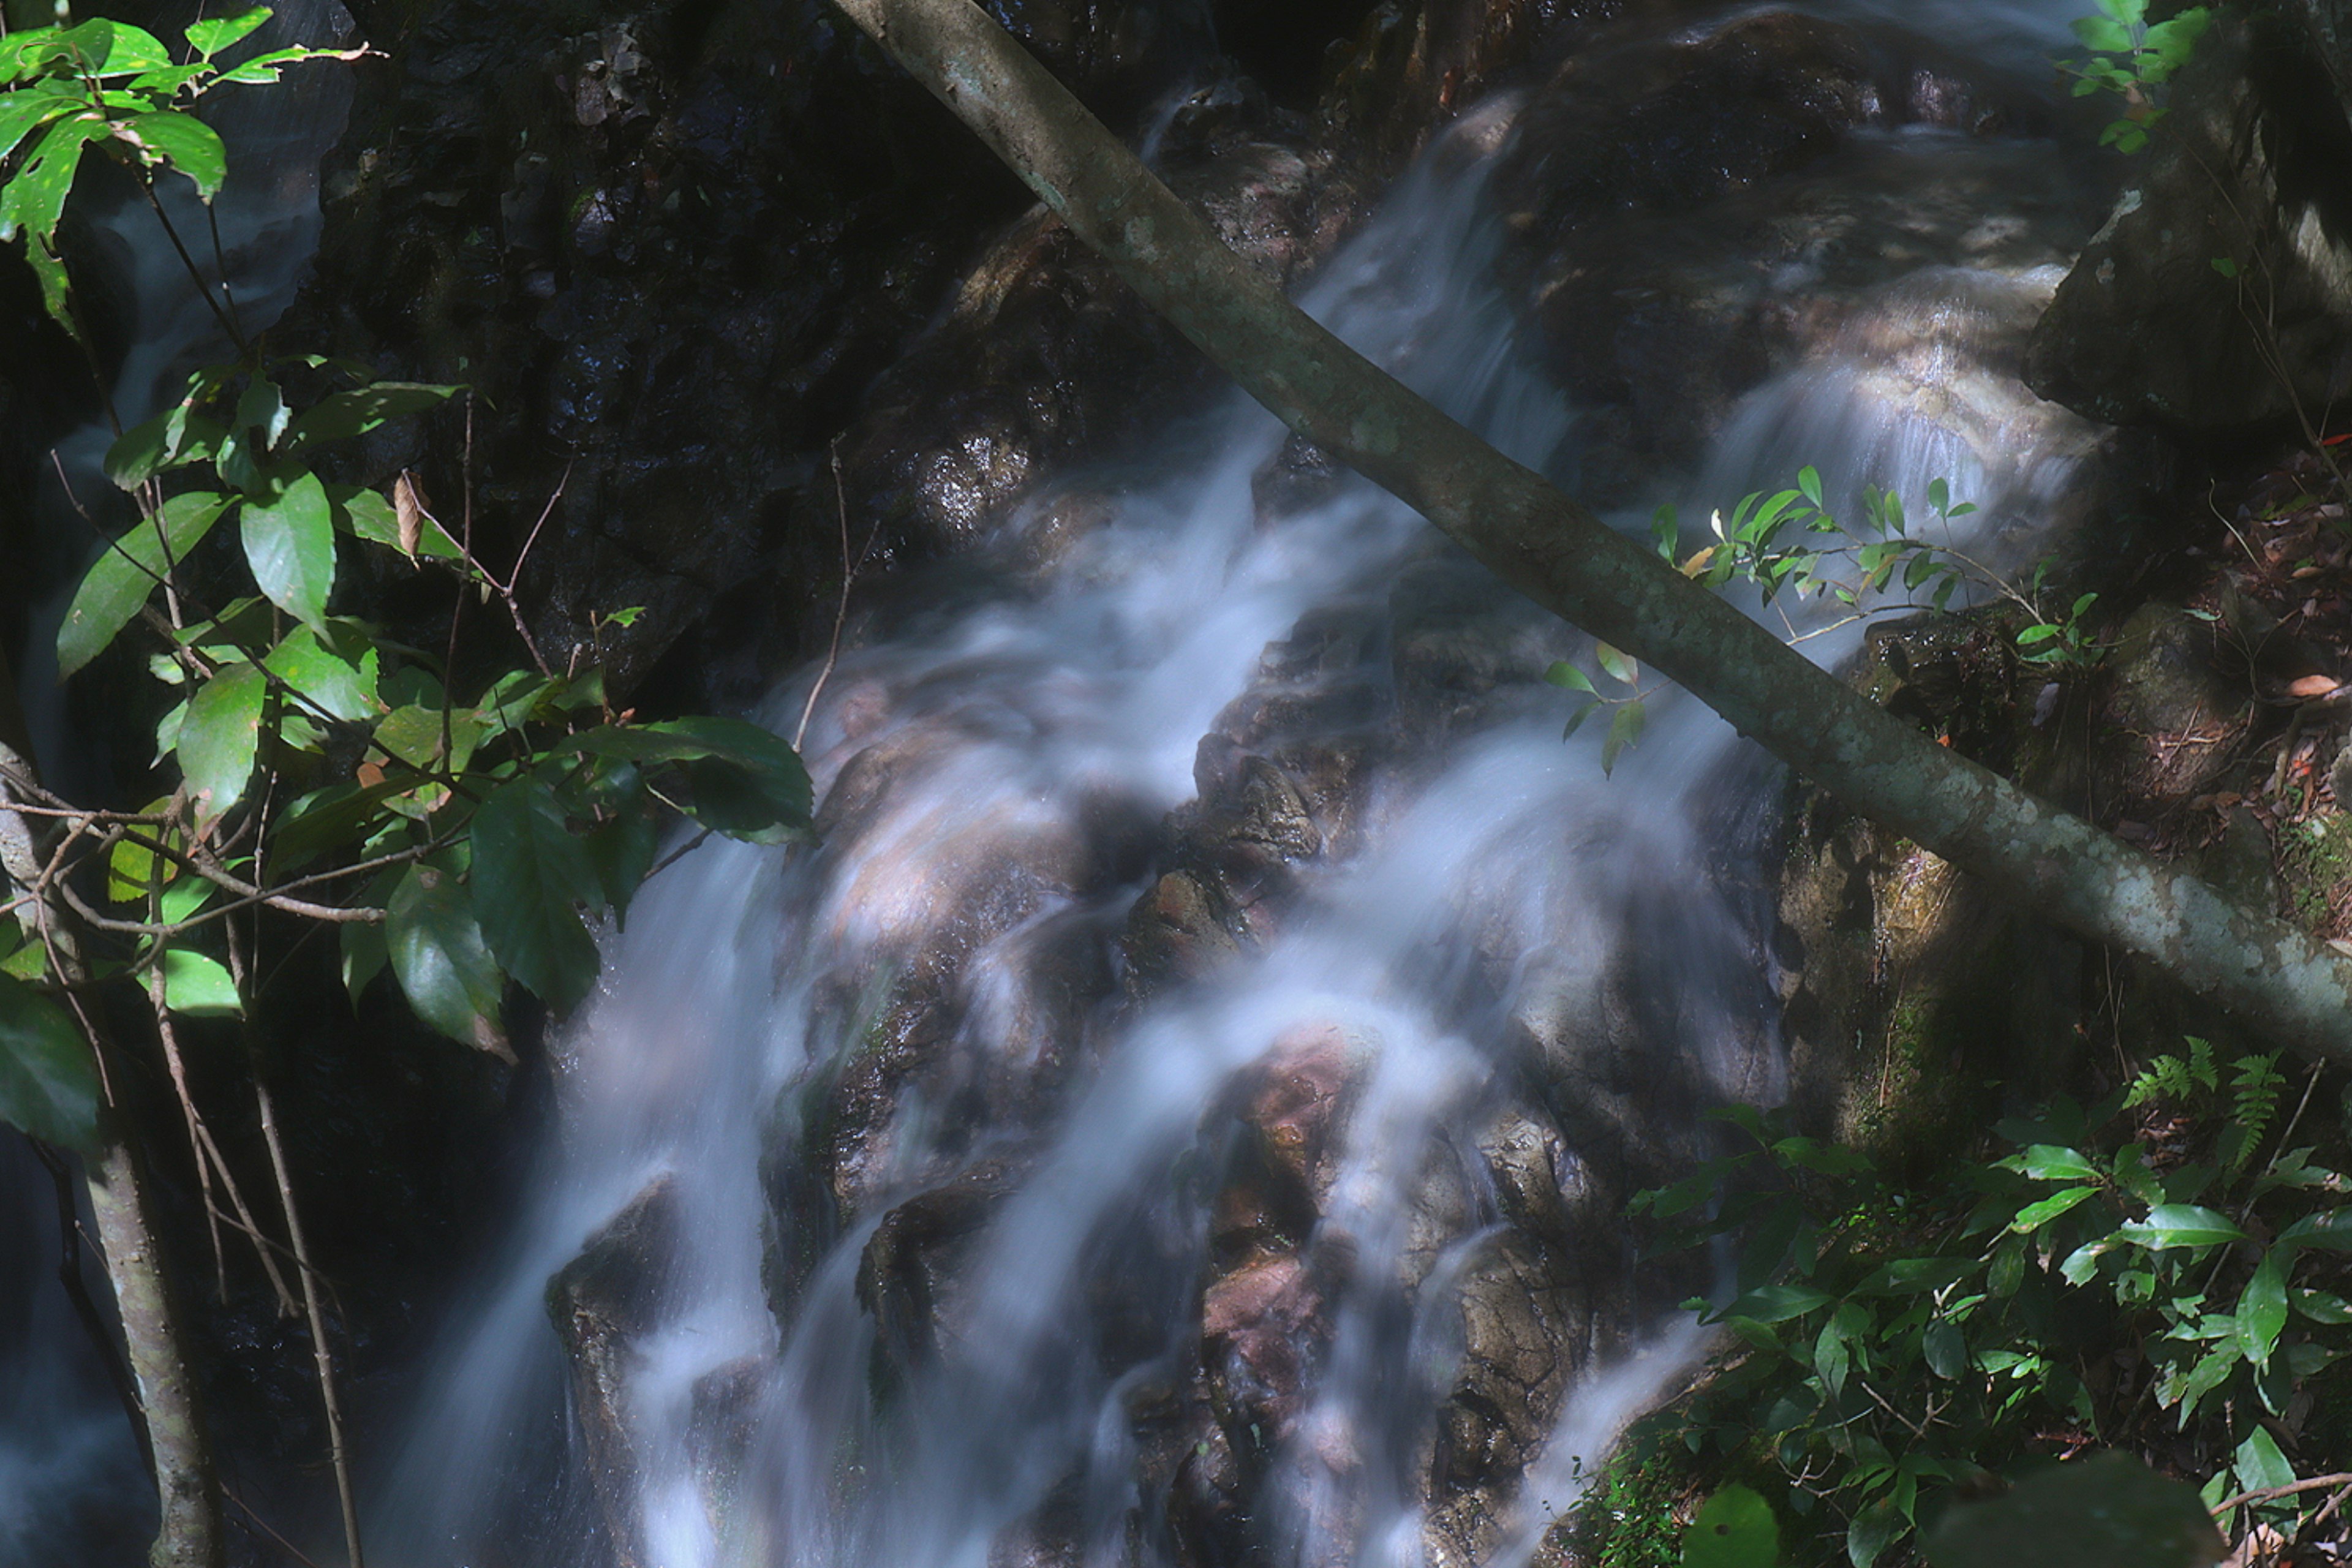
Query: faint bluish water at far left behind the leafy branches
(69, 1470)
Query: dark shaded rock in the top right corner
(2247, 173)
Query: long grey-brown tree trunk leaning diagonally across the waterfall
(1561, 556)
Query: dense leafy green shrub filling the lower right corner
(1897, 1343)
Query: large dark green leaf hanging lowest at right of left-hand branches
(528, 873)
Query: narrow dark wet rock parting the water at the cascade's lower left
(601, 1304)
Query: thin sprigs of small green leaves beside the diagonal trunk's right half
(1789, 542)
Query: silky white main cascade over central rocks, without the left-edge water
(980, 772)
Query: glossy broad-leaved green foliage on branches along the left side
(460, 829)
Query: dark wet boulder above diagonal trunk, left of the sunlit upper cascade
(1824, 161)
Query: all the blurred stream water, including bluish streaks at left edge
(759, 1144)
